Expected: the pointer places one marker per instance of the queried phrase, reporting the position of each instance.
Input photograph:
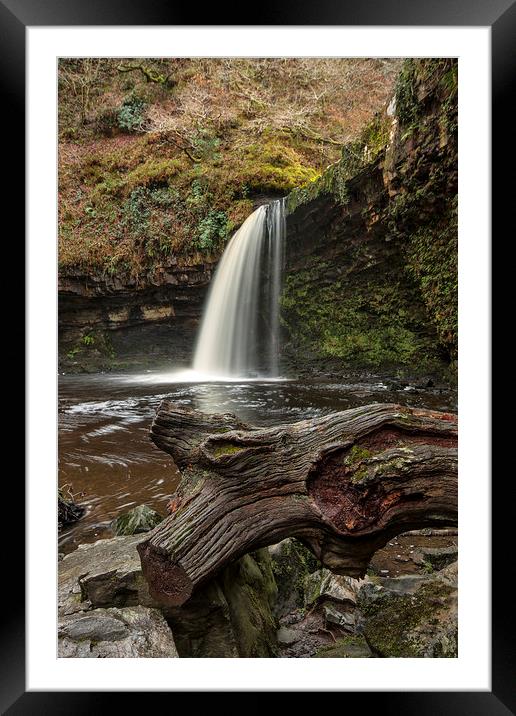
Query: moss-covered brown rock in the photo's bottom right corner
(411, 616)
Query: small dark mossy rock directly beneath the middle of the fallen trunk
(292, 562)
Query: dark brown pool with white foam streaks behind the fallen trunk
(106, 455)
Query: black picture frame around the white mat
(15, 17)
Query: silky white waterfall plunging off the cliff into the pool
(239, 334)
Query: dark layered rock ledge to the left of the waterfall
(107, 322)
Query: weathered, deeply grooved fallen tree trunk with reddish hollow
(344, 484)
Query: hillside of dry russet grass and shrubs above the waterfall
(202, 144)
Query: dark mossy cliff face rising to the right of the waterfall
(371, 275)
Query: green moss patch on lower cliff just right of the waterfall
(358, 319)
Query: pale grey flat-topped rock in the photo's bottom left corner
(131, 632)
